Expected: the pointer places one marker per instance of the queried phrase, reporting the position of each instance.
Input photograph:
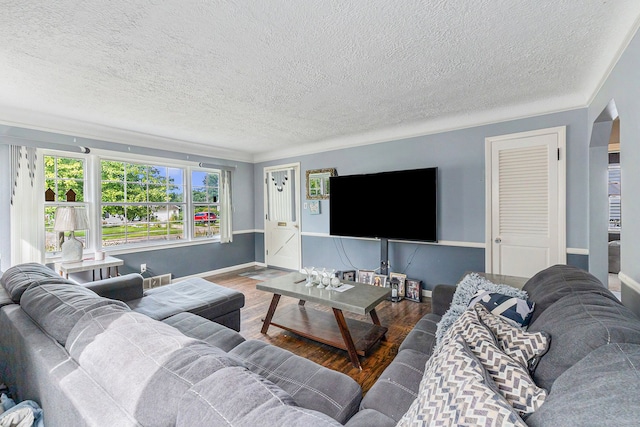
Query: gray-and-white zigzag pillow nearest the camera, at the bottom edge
(456, 390)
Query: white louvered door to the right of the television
(526, 217)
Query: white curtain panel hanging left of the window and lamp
(27, 206)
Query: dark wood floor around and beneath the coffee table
(398, 317)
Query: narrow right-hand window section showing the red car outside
(205, 193)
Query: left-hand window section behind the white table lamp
(62, 175)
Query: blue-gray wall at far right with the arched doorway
(623, 87)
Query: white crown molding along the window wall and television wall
(102, 136)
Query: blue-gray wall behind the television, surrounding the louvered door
(459, 156)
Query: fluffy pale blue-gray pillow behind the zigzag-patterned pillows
(465, 290)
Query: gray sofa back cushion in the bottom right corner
(600, 390)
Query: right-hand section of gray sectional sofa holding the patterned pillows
(591, 370)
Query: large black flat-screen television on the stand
(395, 205)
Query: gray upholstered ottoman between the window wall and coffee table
(195, 295)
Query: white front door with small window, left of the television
(282, 217)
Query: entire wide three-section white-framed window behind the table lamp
(131, 203)
